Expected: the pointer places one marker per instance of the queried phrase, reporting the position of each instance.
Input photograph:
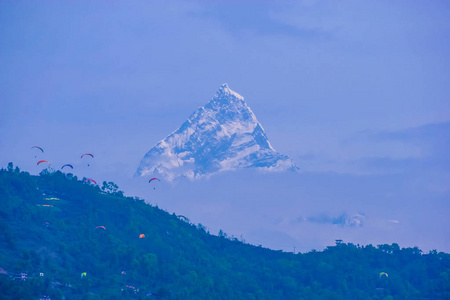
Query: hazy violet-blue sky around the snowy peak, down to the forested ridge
(356, 92)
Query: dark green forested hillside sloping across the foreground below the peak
(48, 225)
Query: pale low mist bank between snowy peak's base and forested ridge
(304, 211)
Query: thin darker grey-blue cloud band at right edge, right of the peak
(411, 149)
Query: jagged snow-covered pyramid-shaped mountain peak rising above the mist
(223, 135)
